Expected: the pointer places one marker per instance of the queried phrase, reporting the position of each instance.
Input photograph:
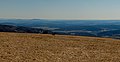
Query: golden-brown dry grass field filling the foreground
(20, 47)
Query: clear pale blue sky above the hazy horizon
(60, 9)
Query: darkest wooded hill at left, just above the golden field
(22, 29)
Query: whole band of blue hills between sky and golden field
(96, 28)
